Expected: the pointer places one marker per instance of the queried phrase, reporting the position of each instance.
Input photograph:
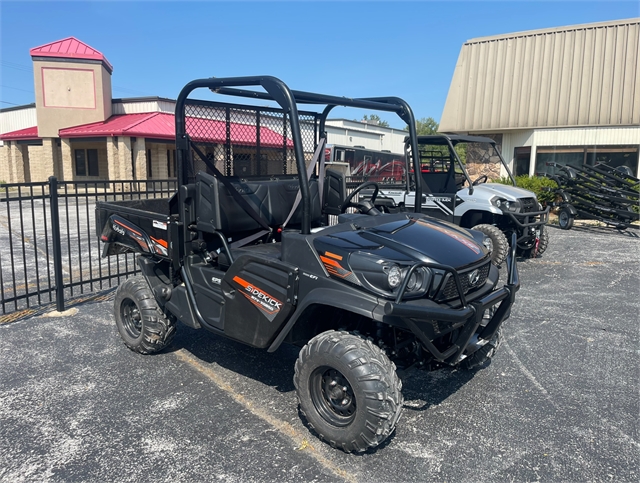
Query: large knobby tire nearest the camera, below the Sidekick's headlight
(348, 390)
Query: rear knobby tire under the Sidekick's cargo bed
(144, 328)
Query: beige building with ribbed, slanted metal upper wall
(569, 95)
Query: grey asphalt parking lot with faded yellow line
(559, 402)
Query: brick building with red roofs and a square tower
(76, 131)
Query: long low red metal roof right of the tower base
(161, 125)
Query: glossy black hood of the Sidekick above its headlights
(414, 238)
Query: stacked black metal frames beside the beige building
(600, 192)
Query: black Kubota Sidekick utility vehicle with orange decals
(235, 253)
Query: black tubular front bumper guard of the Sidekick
(469, 316)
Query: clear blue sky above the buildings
(355, 49)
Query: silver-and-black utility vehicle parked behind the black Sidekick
(499, 211)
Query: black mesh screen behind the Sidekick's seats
(246, 141)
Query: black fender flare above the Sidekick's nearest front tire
(360, 304)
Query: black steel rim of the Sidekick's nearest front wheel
(332, 396)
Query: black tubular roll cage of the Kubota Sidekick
(288, 100)
